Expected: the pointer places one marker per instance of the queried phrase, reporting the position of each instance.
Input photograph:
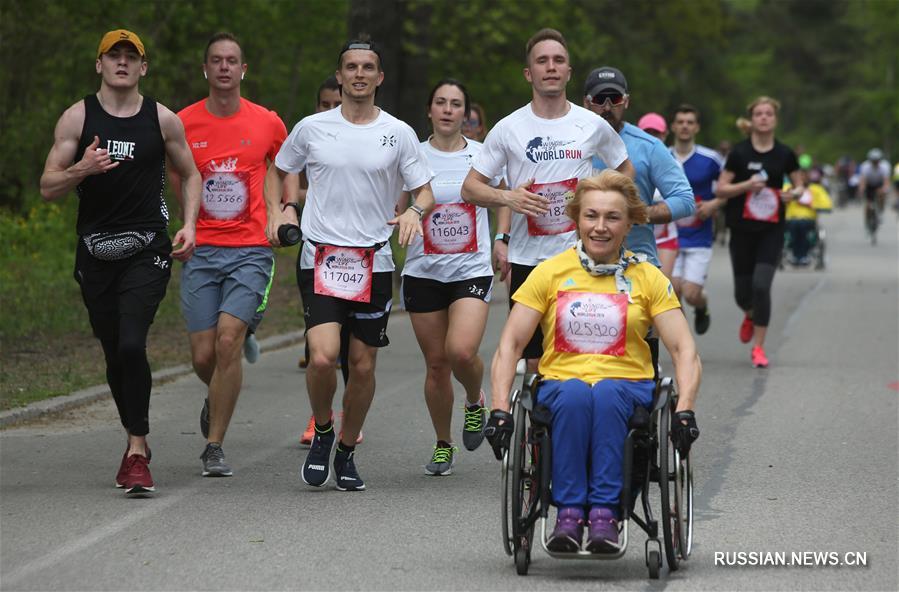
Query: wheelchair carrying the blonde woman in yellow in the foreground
(649, 457)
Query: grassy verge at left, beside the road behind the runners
(46, 345)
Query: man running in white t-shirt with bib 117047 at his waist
(357, 159)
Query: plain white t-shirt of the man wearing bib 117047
(356, 175)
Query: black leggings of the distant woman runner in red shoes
(754, 256)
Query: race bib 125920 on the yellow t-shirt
(589, 323)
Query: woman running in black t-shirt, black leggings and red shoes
(751, 184)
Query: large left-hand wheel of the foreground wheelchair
(525, 491)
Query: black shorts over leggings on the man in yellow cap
(133, 286)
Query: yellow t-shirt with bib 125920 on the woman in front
(590, 331)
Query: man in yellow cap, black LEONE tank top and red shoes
(111, 148)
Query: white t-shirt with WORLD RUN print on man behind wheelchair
(550, 151)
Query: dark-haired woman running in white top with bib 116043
(448, 279)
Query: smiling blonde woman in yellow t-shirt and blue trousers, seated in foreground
(595, 303)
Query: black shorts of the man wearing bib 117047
(366, 320)
